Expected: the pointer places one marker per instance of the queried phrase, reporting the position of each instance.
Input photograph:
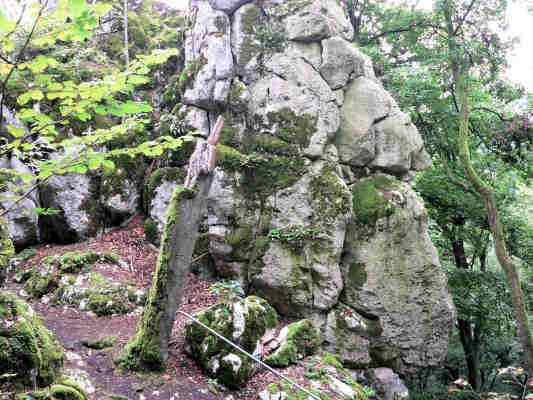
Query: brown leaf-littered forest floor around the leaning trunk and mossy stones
(182, 378)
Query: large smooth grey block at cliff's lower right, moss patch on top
(392, 275)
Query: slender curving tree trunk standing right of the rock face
(485, 192)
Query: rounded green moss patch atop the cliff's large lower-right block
(369, 203)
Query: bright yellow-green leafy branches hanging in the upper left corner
(61, 85)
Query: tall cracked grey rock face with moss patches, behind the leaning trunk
(311, 206)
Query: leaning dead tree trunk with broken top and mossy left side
(148, 350)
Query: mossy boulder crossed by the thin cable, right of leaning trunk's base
(244, 322)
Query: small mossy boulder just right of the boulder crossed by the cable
(298, 340)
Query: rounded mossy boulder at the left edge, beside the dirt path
(26, 345)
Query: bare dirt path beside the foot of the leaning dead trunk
(72, 327)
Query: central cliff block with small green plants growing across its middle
(299, 268)
